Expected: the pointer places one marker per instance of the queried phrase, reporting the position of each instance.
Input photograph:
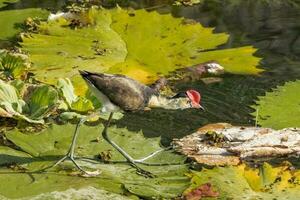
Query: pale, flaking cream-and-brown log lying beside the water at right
(238, 143)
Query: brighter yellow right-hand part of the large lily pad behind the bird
(161, 43)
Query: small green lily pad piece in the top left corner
(11, 20)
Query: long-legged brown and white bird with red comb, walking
(120, 93)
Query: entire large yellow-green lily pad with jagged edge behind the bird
(119, 41)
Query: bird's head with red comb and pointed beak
(189, 99)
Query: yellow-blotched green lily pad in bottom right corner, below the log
(265, 183)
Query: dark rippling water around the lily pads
(271, 26)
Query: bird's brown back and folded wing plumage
(128, 94)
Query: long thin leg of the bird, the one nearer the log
(119, 149)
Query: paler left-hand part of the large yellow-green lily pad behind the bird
(55, 56)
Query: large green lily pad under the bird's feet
(52, 143)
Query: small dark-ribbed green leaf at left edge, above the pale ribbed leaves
(13, 65)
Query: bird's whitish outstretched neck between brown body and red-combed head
(167, 103)
